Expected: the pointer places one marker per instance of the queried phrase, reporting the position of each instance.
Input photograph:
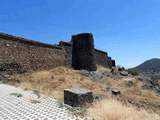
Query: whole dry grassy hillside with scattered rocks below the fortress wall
(103, 82)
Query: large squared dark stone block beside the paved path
(77, 97)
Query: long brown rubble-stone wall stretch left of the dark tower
(20, 55)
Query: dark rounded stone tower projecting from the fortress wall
(83, 52)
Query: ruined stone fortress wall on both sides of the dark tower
(22, 55)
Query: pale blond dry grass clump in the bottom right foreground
(114, 110)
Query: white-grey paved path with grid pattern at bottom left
(25, 107)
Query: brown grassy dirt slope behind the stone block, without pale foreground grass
(54, 81)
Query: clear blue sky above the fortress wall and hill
(129, 30)
